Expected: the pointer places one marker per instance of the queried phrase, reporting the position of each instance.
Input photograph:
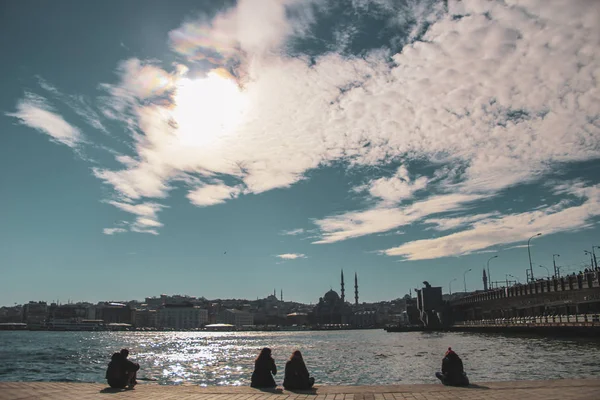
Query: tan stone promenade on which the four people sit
(531, 390)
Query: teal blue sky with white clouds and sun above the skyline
(226, 149)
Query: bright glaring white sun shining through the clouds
(207, 109)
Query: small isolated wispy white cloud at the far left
(36, 113)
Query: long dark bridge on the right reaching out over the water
(556, 303)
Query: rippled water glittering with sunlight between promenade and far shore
(340, 357)
